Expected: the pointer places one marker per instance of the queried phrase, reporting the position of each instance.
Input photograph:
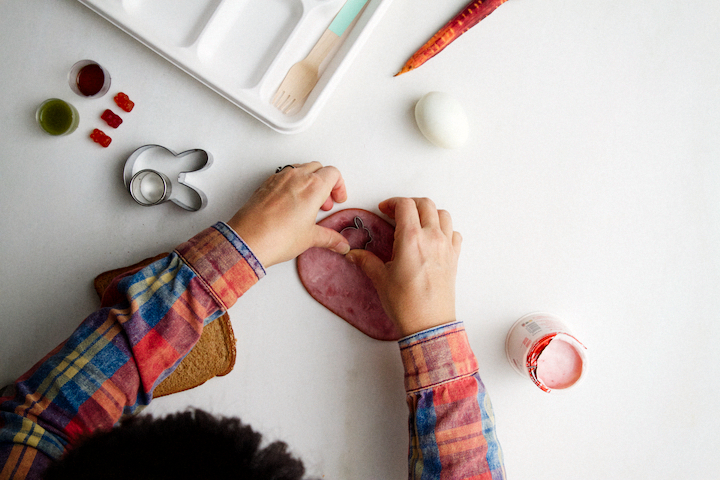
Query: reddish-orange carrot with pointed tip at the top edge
(464, 21)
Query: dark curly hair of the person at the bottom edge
(187, 445)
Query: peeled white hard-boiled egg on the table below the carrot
(441, 118)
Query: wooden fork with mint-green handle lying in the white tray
(303, 76)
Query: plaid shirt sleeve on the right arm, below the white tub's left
(452, 426)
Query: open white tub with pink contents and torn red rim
(541, 347)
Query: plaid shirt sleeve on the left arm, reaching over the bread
(114, 360)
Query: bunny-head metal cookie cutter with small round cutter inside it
(154, 174)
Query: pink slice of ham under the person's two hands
(341, 286)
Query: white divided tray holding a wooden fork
(243, 49)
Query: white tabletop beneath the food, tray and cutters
(589, 188)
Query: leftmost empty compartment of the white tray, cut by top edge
(177, 22)
